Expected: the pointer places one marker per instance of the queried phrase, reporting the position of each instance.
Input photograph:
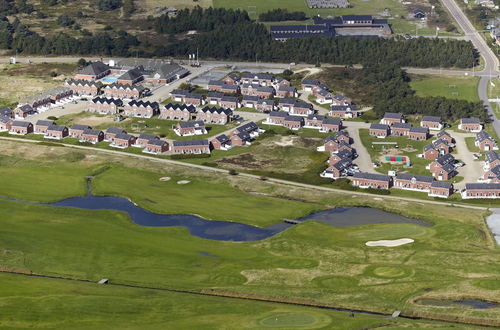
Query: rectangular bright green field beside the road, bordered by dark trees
(455, 87)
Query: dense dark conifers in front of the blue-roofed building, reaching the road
(230, 34)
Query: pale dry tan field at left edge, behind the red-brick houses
(34, 78)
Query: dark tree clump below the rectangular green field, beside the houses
(391, 92)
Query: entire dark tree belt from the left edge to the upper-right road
(231, 34)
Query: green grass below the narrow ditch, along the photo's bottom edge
(26, 303)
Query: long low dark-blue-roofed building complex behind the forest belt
(348, 25)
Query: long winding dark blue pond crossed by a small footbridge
(231, 230)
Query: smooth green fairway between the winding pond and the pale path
(211, 200)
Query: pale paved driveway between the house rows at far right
(472, 169)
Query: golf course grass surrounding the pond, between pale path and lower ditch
(454, 258)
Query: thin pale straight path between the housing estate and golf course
(251, 176)
